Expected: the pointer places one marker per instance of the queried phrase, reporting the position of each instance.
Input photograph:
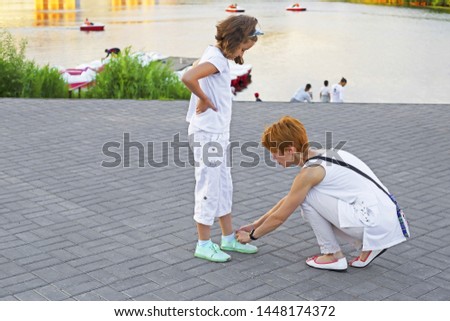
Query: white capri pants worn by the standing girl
(213, 183)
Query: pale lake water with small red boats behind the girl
(388, 54)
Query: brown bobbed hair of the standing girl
(233, 31)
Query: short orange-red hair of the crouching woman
(286, 132)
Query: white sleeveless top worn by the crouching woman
(360, 202)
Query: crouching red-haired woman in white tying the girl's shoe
(339, 196)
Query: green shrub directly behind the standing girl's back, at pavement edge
(124, 77)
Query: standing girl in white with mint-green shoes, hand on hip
(209, 116)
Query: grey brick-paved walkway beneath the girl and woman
(71, 229)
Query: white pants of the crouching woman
(321, 211)
